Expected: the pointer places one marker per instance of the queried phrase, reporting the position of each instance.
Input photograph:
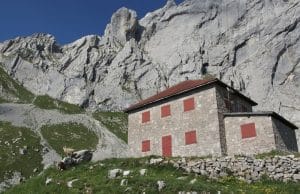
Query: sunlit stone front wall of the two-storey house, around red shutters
(204, 119)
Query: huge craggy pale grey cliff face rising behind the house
(252, 45)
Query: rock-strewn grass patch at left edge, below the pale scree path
(11, 140)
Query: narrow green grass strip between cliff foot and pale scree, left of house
(46, 102)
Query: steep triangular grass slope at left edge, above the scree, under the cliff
(14, 88)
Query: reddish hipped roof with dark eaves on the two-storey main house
(180, 88)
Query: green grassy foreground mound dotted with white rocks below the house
(93, 178)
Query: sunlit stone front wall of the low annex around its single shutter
(263, 142)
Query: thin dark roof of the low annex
(263, 113)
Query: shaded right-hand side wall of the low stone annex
(285, 137)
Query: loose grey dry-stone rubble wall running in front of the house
(250, 169)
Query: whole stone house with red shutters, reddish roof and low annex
(205, 117)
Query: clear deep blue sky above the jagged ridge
(67, 20)
